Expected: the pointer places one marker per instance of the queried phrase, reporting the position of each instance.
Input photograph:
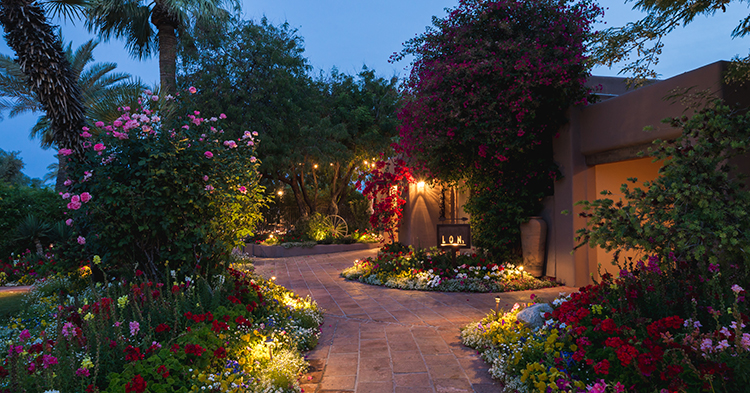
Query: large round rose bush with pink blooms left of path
(152, 192)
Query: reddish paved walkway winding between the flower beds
(377, 339)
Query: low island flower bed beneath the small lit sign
(433, 270)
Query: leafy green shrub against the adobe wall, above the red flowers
(696, 211)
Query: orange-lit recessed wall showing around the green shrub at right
(610, 177)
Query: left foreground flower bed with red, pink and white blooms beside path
(232, 333)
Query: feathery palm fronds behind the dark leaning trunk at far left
(102, 90)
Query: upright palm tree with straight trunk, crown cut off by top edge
(133, 20)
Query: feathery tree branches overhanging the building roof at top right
(644, 37)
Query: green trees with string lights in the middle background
(317, 131)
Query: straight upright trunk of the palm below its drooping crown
(166, 25)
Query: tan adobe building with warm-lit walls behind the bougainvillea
(597, 150)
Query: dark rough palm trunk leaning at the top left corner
(50, 75)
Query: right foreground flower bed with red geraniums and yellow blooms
(604, 339)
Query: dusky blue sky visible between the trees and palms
(350, 33)
